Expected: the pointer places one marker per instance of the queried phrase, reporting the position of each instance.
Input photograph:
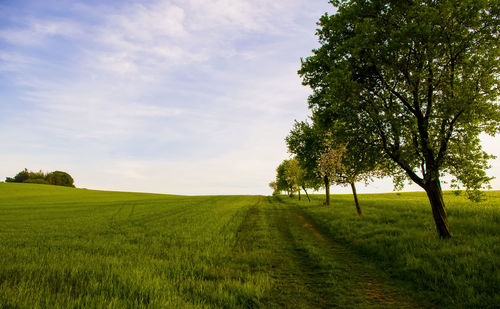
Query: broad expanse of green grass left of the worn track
(64, 247)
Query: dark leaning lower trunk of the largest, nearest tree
(435, 195)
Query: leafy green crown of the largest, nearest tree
(416, 80)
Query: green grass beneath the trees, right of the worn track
(397, 232)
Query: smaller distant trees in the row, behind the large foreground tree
(322, 159)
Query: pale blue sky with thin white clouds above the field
(175, 96)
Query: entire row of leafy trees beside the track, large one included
(401, 89)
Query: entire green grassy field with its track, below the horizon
(75, 248)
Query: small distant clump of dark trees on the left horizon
(57, 178)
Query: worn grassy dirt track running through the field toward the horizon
(309, 270)
